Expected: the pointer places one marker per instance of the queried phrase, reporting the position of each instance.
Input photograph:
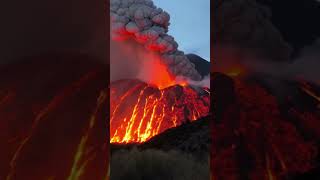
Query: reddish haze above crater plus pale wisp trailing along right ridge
(129, 60)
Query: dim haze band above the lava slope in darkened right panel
(305, 66)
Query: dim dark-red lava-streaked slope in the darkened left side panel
(53, 119)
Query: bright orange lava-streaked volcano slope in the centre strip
(143, 111)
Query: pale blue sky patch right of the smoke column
(190, 24)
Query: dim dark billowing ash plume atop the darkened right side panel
(247, 24)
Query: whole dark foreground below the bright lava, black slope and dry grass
(177, 153)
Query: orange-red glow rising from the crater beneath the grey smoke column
(147, 66)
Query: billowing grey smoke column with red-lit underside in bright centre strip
(142, 21)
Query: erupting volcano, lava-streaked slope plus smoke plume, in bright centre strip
(149, 75)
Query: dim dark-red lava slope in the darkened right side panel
(256, 136)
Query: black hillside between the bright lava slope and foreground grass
(190, 139)
